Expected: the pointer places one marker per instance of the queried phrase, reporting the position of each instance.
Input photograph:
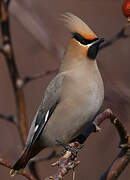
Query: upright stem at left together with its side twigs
(17, 81)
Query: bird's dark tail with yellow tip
(21, 162)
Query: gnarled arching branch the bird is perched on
(66, 163)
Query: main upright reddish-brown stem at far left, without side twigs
(13, 71)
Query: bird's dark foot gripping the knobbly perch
(73, 148)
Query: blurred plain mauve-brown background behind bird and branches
(39, 39)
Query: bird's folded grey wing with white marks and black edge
(48, 105)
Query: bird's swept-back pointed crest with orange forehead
(76, 25)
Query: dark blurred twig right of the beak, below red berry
(119, 35)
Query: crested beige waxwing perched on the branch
(73, 97)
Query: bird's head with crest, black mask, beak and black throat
(84, 41)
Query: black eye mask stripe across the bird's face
(82, 40)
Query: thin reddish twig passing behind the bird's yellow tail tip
(24, 173)
